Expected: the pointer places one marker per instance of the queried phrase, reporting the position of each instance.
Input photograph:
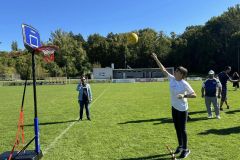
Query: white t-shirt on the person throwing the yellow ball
(179, 87)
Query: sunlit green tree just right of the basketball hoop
(71, 56)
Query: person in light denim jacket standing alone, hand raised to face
(84, 97)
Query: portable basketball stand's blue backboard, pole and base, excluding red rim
(31, 40)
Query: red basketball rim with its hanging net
(48, 52)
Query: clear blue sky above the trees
(103, 16)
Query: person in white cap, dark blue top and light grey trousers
(209, 91)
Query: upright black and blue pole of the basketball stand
(36, 127)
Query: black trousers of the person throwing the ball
(180, 120)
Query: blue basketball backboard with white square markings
(31, 37)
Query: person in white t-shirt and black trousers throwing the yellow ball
(180, 90)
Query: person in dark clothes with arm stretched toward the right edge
(224, 77)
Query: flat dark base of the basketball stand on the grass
(25, 155)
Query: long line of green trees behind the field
(199, 48)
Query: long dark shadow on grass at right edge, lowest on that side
(225, 131)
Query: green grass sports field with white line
(129, 122)
